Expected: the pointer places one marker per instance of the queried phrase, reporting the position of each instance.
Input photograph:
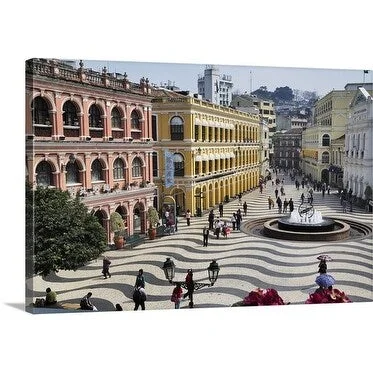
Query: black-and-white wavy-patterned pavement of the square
(246, 262)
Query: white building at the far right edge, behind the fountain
(358, 174)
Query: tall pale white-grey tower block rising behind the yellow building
(215, 87)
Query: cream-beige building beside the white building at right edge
(329, 124)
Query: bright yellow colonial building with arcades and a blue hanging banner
(203, 153)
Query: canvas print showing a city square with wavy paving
(164, 186)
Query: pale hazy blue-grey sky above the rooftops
(185, 75)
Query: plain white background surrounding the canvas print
(285, 339)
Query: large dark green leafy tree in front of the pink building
(65, 235)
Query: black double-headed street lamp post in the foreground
(169, 271)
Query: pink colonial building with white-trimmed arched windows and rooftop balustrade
(91, 133)
